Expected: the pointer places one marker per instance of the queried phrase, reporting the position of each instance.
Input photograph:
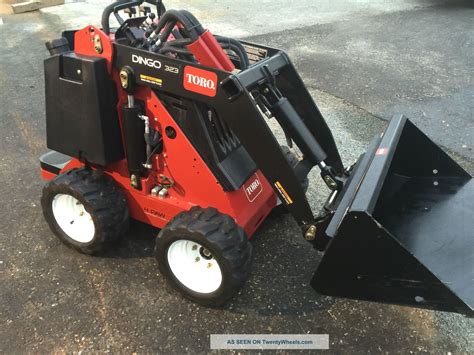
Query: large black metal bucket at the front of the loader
(403, 231)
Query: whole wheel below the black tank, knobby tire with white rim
(85, 209)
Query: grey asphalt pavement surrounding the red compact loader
(362, 61)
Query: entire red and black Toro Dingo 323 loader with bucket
(161, 121)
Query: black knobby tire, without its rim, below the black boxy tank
(99, 196)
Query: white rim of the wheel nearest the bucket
(194, 266)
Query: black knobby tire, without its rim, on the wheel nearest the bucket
(222, 237)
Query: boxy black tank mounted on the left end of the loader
(81, 109)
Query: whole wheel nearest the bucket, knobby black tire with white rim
(205, 255)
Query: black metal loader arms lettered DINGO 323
(236, 105)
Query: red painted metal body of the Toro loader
(195, 184)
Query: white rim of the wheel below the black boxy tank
(72, 218)
